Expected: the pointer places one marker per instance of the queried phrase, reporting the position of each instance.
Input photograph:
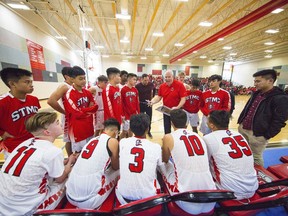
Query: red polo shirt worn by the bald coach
(172, 94)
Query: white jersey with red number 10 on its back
(190, 158)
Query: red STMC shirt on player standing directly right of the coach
(193, 101)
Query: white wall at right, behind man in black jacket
(243, 73)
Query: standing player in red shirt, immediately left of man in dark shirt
(130, 103)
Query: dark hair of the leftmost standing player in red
(13, 74)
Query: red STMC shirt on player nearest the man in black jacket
(219, 100)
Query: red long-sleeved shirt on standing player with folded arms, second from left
(79, 114)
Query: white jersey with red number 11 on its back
(24, 176)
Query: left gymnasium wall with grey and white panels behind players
(14, 32)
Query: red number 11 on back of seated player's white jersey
(24, 153)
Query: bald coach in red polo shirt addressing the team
(173, 93)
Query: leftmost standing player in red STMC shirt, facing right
(16, 107)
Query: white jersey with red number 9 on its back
(87, 177)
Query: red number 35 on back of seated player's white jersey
(238, 145)
